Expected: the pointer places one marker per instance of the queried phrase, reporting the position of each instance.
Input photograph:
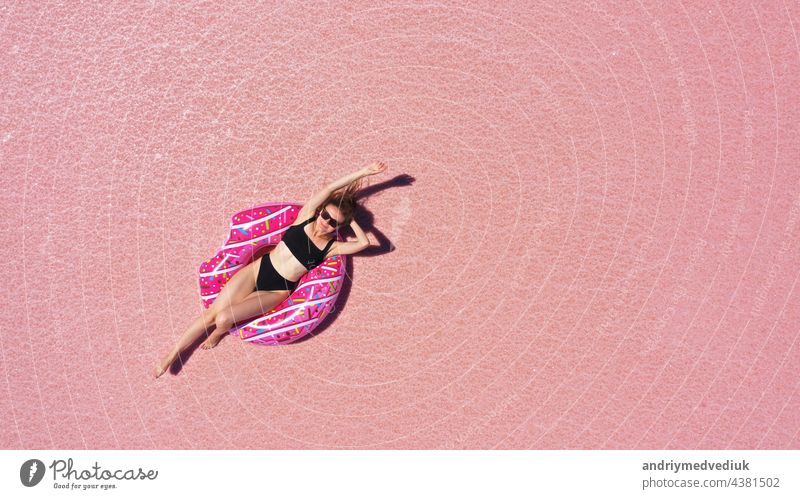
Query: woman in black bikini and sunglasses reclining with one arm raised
(269, 280)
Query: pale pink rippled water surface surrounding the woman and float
(595, 208)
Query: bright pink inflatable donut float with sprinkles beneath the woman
(314, 297)
